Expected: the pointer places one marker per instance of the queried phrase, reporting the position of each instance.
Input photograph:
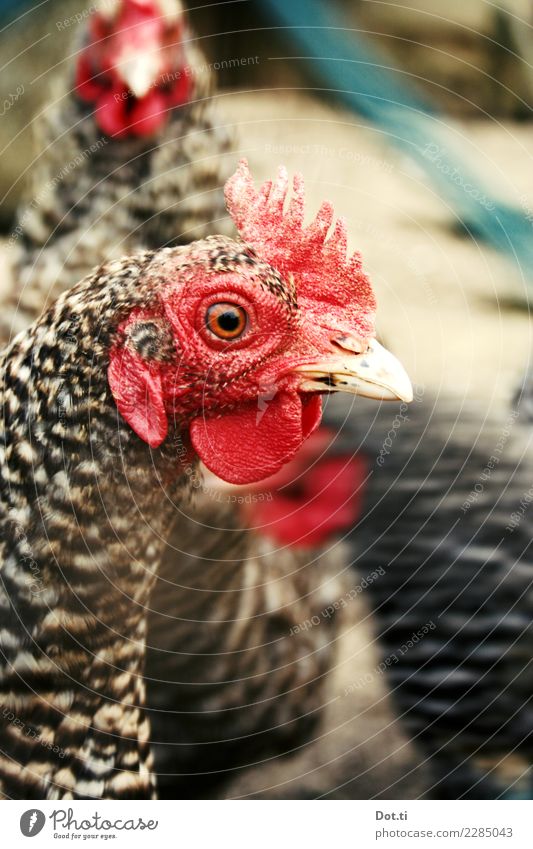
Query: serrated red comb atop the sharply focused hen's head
(322, 269)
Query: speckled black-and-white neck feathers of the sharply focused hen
(85, 509)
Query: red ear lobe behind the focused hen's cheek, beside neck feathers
(138, 394)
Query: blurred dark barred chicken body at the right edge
(446, 512)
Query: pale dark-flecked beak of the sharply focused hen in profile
(374, 373)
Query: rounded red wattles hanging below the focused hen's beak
(256, 440)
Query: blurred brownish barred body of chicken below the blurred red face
(236, 667)
